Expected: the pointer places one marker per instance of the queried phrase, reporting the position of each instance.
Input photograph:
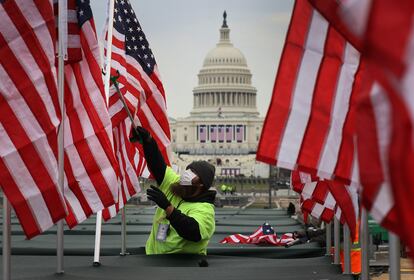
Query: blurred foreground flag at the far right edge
(384, 32)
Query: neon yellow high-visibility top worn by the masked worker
(202, 212)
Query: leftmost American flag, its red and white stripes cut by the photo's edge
(29, 114)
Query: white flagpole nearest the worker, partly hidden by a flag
(98, 228)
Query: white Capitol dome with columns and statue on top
(224, 82)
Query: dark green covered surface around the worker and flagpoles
(35, 259)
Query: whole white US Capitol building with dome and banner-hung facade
(224, 125)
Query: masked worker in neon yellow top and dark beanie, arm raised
(184, 221)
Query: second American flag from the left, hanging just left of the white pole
(91, 167)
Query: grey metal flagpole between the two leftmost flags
(62, 55)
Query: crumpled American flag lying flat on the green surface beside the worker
(265, 234)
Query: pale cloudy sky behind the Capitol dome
(182, 32)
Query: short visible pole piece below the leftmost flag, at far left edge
(6, 239)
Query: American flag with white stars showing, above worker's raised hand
(139, 81)
